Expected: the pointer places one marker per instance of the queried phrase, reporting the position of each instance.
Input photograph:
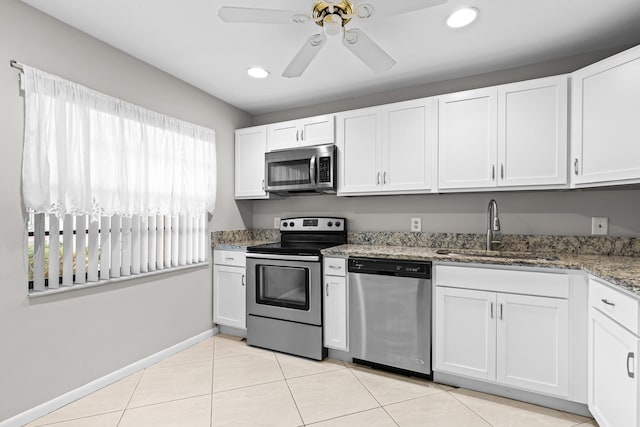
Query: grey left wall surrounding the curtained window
(51, 345)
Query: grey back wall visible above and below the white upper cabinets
(540, 212)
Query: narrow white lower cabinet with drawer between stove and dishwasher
(335, 304)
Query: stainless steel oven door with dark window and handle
(285, 287)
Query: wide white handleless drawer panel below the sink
(509, 281)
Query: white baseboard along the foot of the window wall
(95, 385)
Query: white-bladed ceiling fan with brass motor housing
(333, 16)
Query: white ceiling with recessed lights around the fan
(186, 38)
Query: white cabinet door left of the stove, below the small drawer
(229, 296)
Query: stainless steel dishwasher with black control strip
(390, 314)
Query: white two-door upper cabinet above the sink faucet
(512, 135)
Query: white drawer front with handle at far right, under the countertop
(618, 306)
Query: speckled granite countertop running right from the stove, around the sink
(623, 271)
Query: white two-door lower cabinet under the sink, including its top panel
(511, 339)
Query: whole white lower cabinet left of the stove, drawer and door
(229, 289)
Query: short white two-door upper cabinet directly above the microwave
(300, 133)
